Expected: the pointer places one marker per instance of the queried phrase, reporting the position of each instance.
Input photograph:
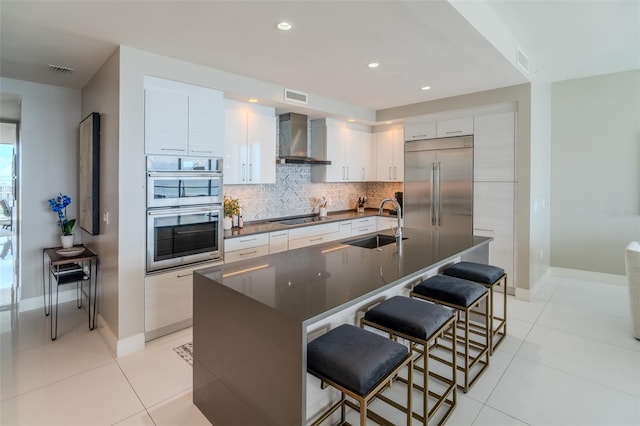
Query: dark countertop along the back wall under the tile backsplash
(262, 226)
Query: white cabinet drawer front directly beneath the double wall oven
(168, 304)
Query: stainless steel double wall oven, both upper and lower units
(184, 211)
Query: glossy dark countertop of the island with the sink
(311, 283)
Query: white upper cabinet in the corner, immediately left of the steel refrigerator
(390, 155)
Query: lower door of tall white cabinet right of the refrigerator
(493, 216)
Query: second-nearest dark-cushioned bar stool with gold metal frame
(421, 324)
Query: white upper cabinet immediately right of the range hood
(349, 149)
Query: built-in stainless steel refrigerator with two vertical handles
(438, 185)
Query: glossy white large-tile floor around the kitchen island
(569, 359)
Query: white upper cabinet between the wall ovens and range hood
(249, 143)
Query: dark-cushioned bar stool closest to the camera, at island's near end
(360, 364)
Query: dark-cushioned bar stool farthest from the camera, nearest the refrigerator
(490, 277)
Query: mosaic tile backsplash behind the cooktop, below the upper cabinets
(294, 194)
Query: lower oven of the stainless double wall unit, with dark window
(182, 236)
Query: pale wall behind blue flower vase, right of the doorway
(48, 150)
